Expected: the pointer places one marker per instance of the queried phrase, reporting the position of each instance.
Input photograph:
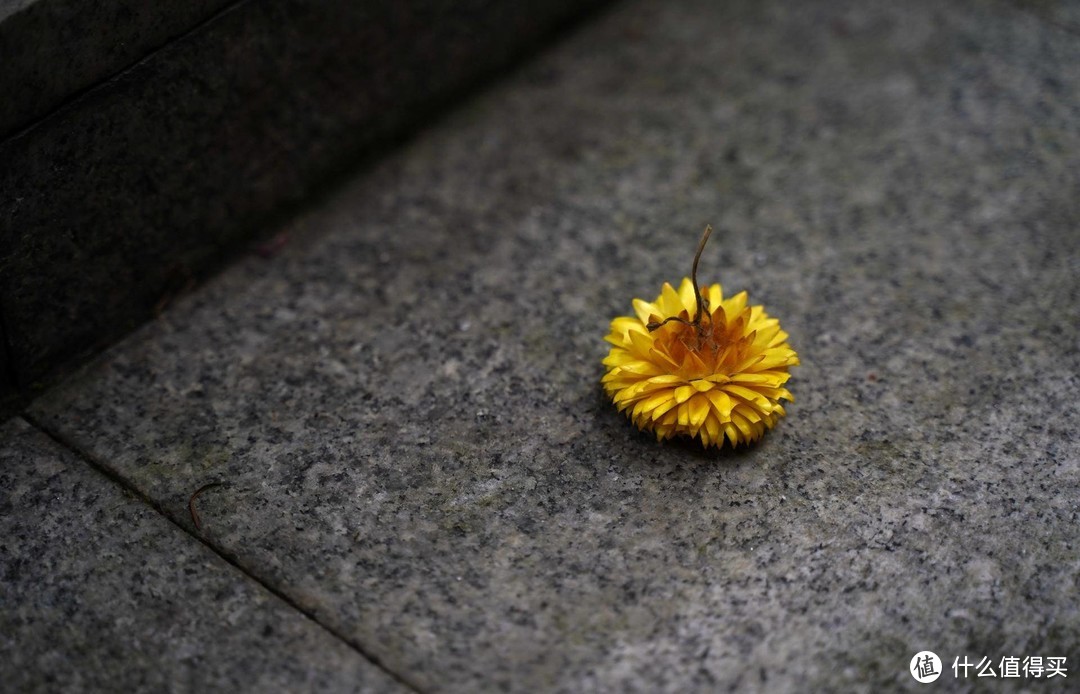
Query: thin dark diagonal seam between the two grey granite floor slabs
(232, 561)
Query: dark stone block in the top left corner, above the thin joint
(52, 49)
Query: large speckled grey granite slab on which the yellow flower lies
(406, 402)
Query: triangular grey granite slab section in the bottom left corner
(99, 593)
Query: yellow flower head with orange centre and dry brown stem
(720, 375)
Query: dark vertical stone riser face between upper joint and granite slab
(117, 202)
